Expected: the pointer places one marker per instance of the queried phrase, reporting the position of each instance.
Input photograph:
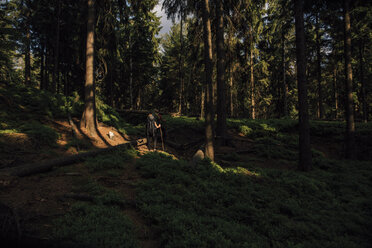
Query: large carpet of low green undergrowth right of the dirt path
(209, 206)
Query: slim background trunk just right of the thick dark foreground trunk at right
(319, 69)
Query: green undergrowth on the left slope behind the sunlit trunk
(23, 103)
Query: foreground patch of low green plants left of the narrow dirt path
(99, 223)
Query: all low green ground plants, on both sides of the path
(208, 205)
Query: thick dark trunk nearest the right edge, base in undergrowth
(350, 125)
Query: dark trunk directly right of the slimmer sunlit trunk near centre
(221, 84)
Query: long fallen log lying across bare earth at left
(44, 166)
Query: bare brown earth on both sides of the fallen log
(39, 199)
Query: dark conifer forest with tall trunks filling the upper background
(242, 59)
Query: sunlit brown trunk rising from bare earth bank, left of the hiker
(88, 120)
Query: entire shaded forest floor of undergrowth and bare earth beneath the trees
(252, 196)
